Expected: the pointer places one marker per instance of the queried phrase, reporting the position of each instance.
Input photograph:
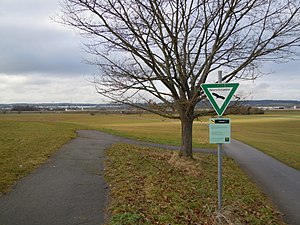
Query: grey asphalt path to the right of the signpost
(280, 182)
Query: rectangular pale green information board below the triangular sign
(219, 130)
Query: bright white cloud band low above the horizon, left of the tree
(46, 89)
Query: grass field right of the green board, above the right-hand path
(277, 134)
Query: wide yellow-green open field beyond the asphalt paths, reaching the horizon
(27, 140)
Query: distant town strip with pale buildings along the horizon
(50, 107)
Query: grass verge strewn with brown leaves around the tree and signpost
(152, 186)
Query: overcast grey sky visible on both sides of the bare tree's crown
(41, 61)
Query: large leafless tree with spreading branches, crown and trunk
(168, 48)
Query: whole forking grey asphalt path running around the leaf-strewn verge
(69, 189)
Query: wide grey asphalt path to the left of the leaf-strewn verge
(68, 189)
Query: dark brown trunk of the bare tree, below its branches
(186, 148)
